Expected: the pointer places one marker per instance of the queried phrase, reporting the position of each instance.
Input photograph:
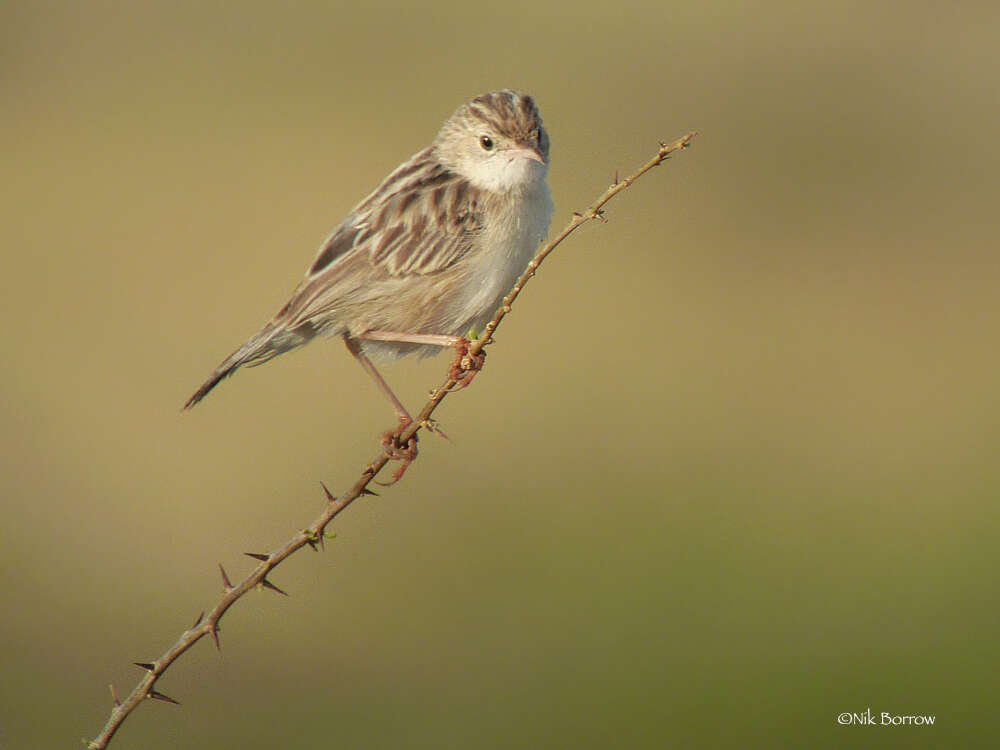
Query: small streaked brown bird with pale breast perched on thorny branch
(428, 256)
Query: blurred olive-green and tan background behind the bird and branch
(731, 469)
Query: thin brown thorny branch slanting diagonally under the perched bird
(207, 623)
